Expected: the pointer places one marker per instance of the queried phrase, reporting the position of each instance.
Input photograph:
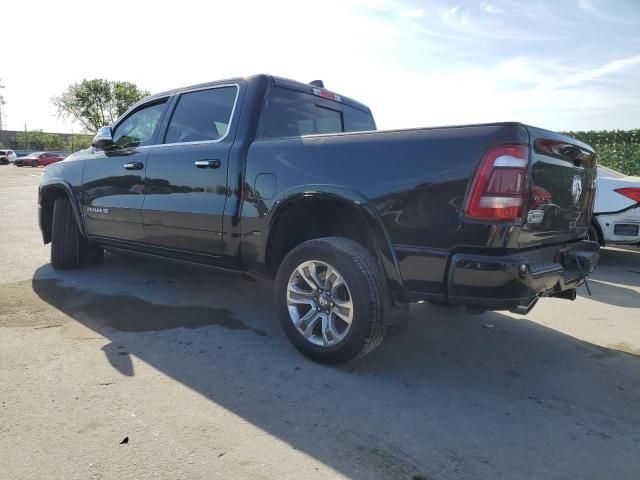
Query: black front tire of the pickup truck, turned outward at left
(69, 248)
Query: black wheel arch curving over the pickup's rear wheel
(286, 210)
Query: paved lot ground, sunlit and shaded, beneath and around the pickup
(190, 367)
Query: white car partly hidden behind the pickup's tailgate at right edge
(616, 214)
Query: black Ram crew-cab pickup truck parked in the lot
(291, 181)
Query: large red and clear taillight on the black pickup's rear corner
(499, 188)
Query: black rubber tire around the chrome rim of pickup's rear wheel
(365, 282)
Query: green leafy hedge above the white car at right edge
(618, 149)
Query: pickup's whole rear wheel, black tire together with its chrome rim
(330, 299)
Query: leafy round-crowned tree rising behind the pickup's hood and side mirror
(96, 103)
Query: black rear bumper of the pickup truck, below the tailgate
(516, 282)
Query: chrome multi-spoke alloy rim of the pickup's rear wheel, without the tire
(320, 304)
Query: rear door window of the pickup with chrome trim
(202, 116)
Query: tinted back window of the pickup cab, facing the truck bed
(292, 114)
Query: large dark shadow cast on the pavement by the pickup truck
(457, 396)
